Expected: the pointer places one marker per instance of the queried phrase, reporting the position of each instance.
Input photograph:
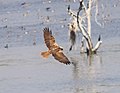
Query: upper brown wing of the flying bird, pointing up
(48, 38)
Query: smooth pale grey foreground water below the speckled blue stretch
(88, 74)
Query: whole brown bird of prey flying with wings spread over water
(53, 48)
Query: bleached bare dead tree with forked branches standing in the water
(78, 24)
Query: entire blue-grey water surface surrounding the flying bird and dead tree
(23, 70)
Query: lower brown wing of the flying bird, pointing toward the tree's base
(58, 55)
